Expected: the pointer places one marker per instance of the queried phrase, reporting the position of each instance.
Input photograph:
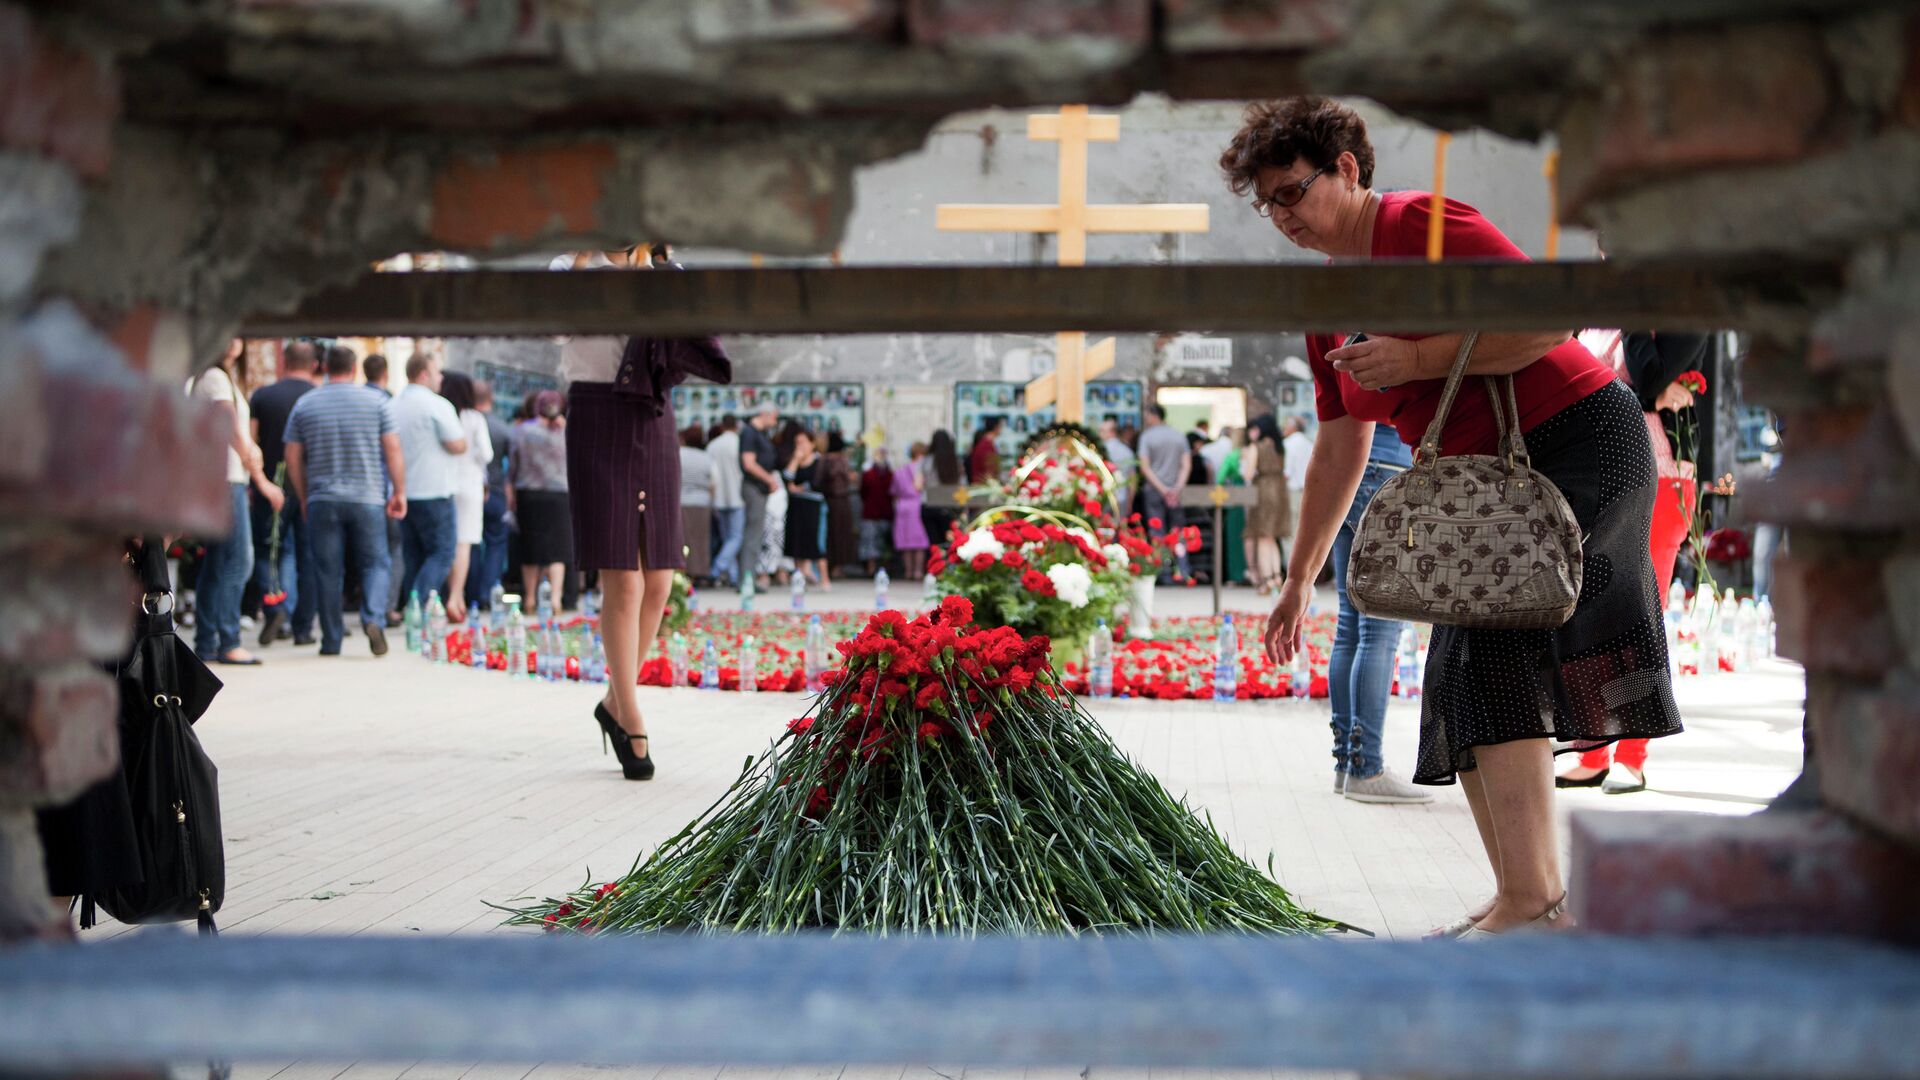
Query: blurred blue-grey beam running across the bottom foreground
(1510, 1008)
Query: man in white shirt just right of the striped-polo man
(431, 441)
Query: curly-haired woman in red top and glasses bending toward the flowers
(1493, 699)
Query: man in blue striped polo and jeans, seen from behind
(343, 449)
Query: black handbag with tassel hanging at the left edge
(174, 785)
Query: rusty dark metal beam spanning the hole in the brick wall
(1032, 299)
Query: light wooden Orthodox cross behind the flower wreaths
(1072, 220)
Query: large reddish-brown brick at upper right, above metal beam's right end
(1692, 101)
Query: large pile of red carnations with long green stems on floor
(944, 783)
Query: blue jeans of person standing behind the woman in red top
(1360, 674)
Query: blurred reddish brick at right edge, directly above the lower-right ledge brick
(1867, 749)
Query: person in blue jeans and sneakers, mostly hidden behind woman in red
(1360, 674)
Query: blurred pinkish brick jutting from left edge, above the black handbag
(93, 445)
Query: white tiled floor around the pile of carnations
(396, 797)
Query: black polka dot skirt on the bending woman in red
(1602, 675)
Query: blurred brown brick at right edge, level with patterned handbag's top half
(1846, 470)
